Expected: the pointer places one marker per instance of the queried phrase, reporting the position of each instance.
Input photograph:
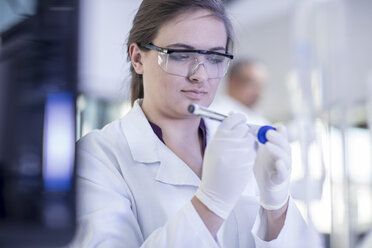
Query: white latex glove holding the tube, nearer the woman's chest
(228, 162)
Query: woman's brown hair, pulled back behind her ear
(152, 14)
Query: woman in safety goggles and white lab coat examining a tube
(150, 180)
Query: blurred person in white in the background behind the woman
(244, 87)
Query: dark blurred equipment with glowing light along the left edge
(38, 77)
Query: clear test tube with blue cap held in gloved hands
(258, 131)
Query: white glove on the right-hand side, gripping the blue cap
(272, 169)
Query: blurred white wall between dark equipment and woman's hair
(104, 27)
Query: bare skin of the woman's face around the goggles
(171, 94)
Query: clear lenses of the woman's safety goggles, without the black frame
(184, 64)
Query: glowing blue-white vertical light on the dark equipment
(59, 141)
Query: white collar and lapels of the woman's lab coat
(172, 169)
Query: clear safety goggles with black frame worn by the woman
(184, 62)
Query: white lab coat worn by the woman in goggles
(135, 192)
